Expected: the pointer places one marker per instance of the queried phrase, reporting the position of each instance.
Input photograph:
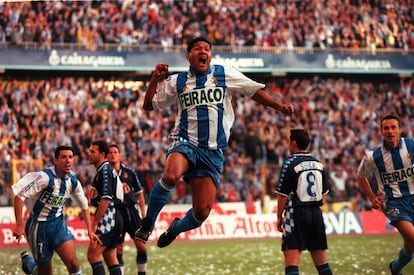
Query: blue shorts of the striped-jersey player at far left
(45, 237)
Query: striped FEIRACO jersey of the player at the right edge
(393, 168)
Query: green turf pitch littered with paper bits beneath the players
(347, 255)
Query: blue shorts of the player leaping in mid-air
(209, 163)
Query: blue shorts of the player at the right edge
(401, 209)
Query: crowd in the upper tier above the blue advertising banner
(280, 23)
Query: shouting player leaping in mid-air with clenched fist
(203, 96)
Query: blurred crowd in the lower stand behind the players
(341, 113)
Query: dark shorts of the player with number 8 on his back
(309, 231)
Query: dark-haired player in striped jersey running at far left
(44, 193)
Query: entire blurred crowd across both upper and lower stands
(342, 112)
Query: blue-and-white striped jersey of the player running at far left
(45, 193)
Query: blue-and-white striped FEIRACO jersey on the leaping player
(205, 113)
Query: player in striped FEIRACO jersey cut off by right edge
(392, 163)
